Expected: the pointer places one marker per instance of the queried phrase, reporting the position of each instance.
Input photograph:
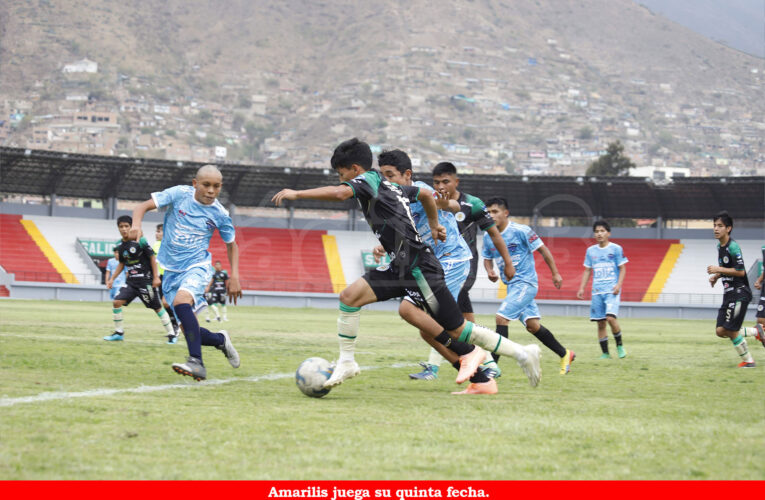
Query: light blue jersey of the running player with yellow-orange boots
(521, 243)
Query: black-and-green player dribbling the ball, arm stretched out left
(414, 271)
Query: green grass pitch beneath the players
(75, 407)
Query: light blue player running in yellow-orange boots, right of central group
(521, 241)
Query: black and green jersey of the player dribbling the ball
(386, 208)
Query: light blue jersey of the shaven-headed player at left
(189, 225)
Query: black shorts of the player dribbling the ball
(423, 283)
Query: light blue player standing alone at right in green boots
(606, 262)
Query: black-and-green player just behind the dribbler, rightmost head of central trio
(472, 215)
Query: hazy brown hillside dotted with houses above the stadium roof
(496, 87)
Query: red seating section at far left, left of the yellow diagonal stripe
(20, 255)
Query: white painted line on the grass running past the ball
(94, 393)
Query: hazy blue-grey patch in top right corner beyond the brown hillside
(738, 23)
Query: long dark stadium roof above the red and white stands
(26, 171)
